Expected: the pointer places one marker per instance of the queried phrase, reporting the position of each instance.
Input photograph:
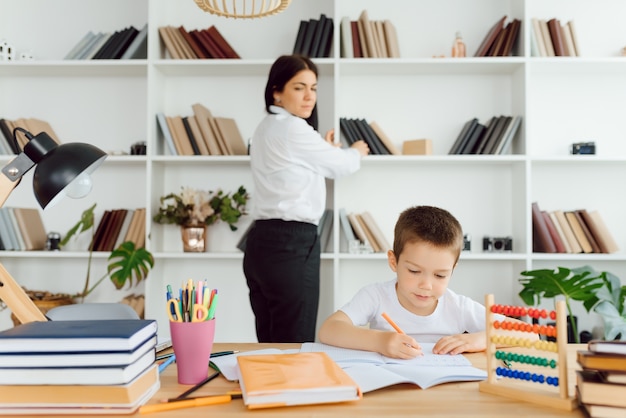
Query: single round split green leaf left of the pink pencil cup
(126, 262)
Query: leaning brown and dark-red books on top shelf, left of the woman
(196, 43)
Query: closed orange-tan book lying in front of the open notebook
(274, 380)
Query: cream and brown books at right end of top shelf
(550, 38)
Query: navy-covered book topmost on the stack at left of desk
(77, 336)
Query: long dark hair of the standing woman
(284, 69)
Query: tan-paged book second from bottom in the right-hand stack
(593, 390)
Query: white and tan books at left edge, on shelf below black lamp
(21, 229)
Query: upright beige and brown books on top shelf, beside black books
(365, 38)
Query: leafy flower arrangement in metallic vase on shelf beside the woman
(194, 210)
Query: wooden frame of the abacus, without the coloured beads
(501, 387)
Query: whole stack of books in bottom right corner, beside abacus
(601, 384)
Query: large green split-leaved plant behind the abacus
(601, 292)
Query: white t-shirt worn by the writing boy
(455, 314)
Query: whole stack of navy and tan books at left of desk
(78, 367)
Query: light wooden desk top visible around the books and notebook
(450, 399)
